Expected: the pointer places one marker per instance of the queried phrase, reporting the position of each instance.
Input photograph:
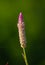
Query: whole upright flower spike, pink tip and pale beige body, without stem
(21, 29)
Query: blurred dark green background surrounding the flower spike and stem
(34, 18)
